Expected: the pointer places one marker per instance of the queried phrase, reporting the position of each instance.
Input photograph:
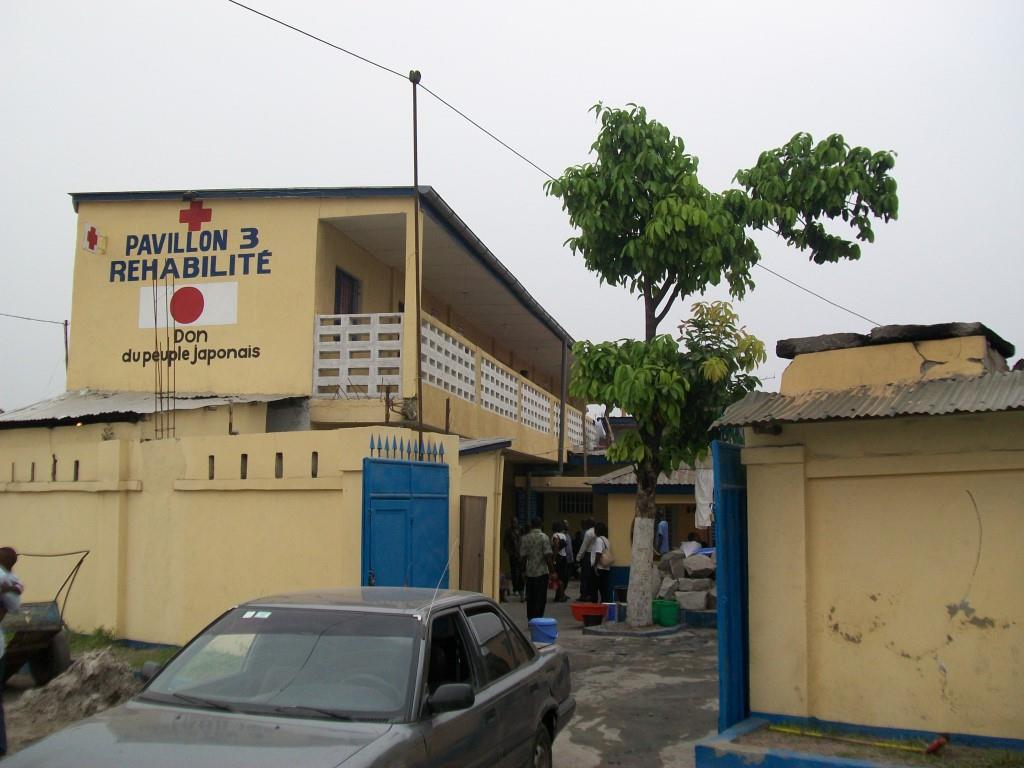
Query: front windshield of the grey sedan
(294, 662)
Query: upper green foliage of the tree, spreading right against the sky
(648, 224)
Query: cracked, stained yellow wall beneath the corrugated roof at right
(887, 573)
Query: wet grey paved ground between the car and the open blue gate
(639, 702)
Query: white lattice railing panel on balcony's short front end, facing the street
(358, 356)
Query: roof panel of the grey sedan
(391, 600)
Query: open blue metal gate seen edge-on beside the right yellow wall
(731, 538)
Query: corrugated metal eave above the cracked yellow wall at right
(992, 393)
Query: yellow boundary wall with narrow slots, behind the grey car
(173, 548)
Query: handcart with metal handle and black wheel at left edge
(36, 633)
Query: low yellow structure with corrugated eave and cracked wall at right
(885, 536)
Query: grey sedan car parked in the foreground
(360, 677)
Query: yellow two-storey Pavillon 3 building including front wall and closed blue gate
(244, 396)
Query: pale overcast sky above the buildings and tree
(116, 96)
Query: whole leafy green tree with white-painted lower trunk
(647, 224)
